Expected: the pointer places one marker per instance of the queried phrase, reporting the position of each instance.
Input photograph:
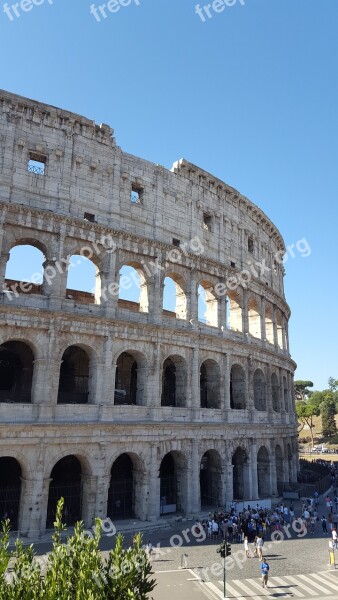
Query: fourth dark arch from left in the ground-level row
(172, 483)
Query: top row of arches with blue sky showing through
(204, 300)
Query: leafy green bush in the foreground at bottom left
(74, 569)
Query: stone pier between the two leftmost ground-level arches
(33, 506)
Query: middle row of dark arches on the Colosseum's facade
(77, 379)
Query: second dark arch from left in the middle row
(74, 377)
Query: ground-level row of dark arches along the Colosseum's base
(125, 485)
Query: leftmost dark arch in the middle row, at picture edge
(16, 372)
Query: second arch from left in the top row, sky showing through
(83, 281)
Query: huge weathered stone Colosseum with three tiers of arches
(167, 403)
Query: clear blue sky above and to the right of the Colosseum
(250, 95)
